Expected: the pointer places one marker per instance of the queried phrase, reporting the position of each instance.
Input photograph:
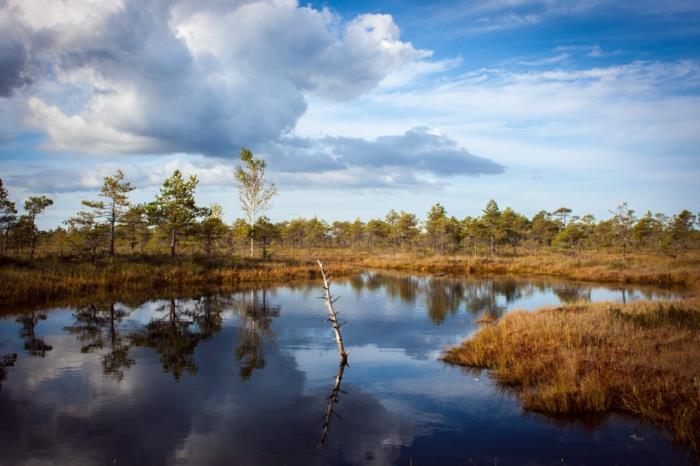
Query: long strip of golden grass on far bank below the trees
(48, 278)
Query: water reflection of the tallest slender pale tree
(256, 319)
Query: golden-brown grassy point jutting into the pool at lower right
(640, 358)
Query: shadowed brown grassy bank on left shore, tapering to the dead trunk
(48, 279)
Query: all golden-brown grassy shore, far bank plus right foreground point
(578, 342)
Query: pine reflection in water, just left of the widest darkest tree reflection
(97, 326)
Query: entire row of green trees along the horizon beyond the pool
(174, 222)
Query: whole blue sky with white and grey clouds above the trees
(358, 107)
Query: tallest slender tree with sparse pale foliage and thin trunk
(254, 191)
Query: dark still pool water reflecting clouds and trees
(246, 378)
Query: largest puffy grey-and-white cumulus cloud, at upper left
(197, 77)
